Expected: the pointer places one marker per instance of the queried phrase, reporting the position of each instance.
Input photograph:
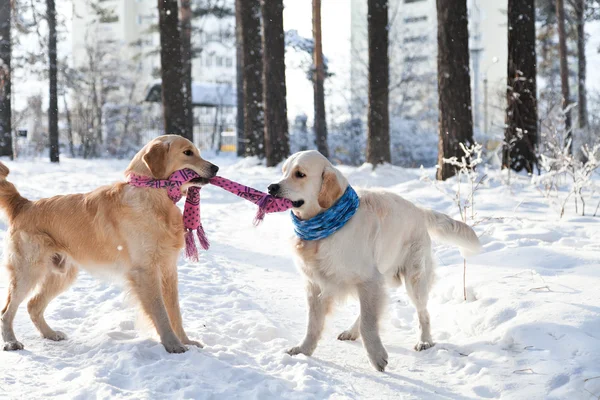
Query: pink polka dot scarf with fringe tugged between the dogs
(191, 211)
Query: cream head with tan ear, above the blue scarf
(310, 182)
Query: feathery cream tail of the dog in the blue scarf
(453, 232)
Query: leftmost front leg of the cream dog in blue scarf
(319, 306)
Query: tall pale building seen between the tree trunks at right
(413, 62)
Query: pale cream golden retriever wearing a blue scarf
(386, 241)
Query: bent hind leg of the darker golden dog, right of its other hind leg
(54, 284)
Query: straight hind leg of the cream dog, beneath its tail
(418, 282)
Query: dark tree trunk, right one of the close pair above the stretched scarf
(277, 144)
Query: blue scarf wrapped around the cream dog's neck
(329, 221)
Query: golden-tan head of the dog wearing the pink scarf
(169, 153)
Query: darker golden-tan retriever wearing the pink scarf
(129, 232)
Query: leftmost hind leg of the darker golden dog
(22, 281)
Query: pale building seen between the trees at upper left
(123, 35)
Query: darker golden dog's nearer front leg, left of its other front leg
(146, 284)
